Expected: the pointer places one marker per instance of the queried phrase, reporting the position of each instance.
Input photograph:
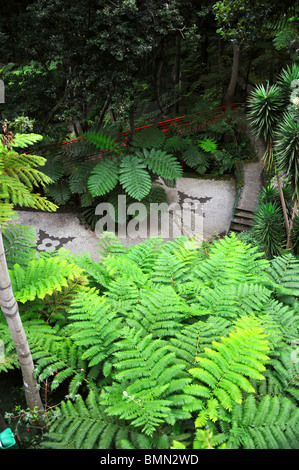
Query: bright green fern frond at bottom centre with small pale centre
(148, 387)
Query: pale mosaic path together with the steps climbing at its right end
(216, 198)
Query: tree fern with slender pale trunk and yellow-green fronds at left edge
(18, 176)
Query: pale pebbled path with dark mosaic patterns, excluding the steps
(214, 197)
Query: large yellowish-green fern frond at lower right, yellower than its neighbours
(226, 369)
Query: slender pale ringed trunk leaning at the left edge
(10, 310)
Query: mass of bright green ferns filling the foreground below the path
(163, 345)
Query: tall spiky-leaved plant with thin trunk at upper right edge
(270, 118)
